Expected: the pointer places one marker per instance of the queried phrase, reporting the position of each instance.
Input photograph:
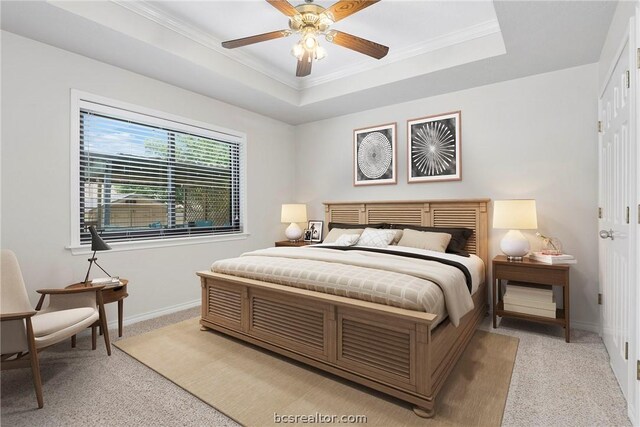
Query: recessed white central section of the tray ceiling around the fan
(409, 28)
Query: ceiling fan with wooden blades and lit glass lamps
(311, 21)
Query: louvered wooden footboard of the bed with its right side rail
(389, 349)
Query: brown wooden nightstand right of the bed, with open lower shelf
(529, 271)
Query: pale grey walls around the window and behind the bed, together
(531, 137)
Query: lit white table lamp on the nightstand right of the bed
(515, 215)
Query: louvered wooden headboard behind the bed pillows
(469, 213)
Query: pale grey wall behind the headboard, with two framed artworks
(533, 137)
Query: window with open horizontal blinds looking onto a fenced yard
(146, 177)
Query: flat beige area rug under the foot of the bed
(252, 385)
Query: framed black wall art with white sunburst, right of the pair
(433, 148)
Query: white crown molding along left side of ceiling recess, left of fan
(146, 10)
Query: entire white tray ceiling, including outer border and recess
(435, 47)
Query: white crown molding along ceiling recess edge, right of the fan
(470, 33)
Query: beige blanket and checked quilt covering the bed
(402, 282)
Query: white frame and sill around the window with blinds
(79, 100)
